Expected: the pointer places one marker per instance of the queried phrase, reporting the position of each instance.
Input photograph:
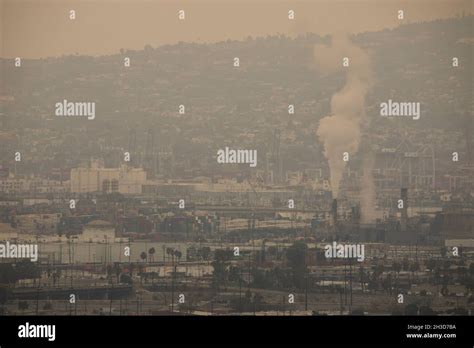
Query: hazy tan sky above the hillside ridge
(42, 28)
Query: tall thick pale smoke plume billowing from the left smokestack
(341, 130)
